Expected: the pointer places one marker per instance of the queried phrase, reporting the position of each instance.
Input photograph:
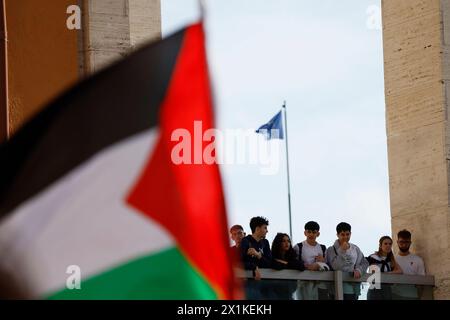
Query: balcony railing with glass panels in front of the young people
(334, 282)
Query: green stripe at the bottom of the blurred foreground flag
(164, 275)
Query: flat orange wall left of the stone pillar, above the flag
(42, 55)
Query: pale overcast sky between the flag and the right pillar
(325, 59)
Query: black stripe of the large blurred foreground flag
(118, 102)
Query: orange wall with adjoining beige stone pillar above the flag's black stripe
(45, 57)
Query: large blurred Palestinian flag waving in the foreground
(90, 183)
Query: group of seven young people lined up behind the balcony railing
(255, 253)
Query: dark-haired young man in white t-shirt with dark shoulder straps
(312, 255)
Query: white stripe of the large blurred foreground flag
(82, 219)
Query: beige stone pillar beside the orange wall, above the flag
(113, 28)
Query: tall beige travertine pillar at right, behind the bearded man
(417, 73)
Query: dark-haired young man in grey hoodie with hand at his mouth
(347, 257)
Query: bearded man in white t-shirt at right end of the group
(411, 264)
